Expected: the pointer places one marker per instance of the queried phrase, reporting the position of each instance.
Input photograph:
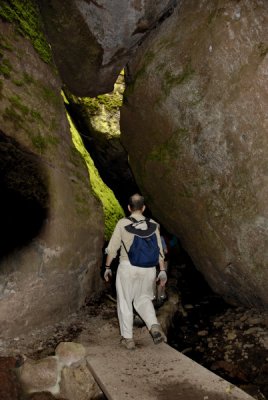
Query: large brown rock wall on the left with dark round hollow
(44, 192)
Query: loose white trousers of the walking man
(134, 285)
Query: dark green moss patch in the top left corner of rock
(25, 15)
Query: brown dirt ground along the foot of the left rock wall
(41, 343)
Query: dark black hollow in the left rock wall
(24, 196)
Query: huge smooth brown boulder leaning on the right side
(195, 126)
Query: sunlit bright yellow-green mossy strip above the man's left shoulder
(112, 209)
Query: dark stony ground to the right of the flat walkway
(230, 341)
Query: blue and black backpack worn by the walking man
(144, 250)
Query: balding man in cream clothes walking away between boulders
(135, 283)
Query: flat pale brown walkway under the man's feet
(153, 372)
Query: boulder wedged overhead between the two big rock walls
(101, 36)
